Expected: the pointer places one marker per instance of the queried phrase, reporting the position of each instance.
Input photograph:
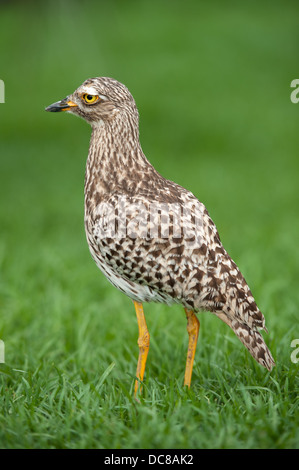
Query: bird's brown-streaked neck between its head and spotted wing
(115, 159)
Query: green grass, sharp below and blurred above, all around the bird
(212, 83)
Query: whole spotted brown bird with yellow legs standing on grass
(152, 238)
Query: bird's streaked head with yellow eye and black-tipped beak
(97, 100)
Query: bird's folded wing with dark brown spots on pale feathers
(171, 245)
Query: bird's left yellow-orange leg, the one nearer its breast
(143, 343)
